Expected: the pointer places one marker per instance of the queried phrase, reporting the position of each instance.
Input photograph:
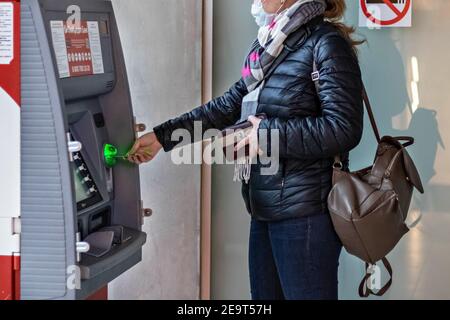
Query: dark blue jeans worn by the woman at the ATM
(294, 259)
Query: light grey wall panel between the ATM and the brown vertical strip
(162, 45)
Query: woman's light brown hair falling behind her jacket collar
(334, 13)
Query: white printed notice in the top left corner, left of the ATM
(6, 33)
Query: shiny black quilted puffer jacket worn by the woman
(314, 126)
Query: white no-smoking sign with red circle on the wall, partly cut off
(385, 13)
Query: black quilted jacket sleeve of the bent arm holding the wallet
(339, 127)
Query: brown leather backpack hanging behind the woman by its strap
(369, 207)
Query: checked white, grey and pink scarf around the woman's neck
(264, 52)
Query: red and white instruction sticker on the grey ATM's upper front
(78, 50)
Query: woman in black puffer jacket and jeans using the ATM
(294, 250)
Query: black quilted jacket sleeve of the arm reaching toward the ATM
(216, 114)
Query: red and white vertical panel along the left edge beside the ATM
(10, 145)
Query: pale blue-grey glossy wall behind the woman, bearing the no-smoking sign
(421, 261)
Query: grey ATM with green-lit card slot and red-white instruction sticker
(81, 208)
